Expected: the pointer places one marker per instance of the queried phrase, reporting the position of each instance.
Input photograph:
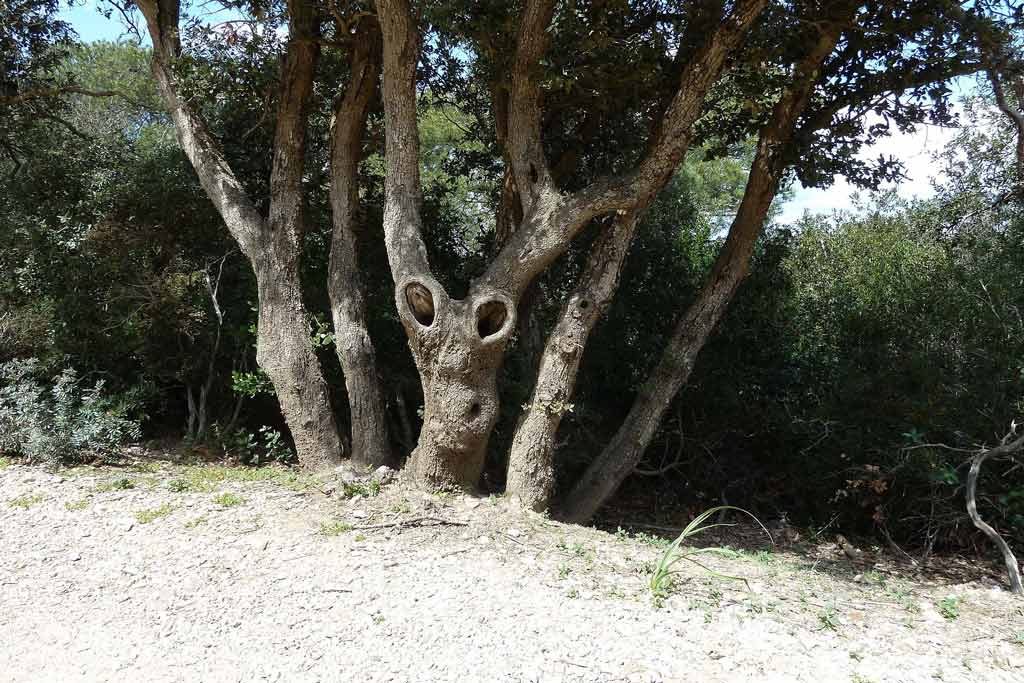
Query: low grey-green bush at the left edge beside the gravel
(54, 419)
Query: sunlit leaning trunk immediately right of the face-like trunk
(532, 475)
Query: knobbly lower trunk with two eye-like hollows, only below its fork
(458, 347)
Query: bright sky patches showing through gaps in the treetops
(915, 150)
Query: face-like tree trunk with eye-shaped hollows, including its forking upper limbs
(458, 346)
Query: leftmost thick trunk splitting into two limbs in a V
(273, 246)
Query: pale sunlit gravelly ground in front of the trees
(162, 572)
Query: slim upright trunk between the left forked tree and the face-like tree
(371, 441)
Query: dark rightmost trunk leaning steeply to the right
(622, 455)
